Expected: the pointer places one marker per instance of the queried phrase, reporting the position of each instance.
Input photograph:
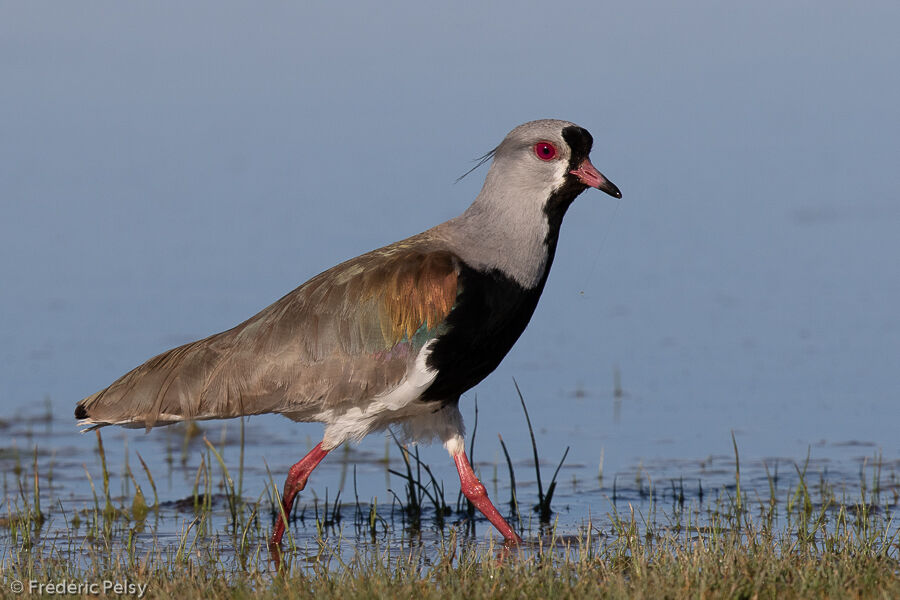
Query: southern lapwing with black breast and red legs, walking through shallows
(392, 337)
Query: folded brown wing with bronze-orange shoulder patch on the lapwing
(344, 336)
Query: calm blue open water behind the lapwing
(158, 187)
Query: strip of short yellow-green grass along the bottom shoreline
(732, 557)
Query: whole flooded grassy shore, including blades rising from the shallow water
(802, 541)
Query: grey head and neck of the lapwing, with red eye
(537, 171)
